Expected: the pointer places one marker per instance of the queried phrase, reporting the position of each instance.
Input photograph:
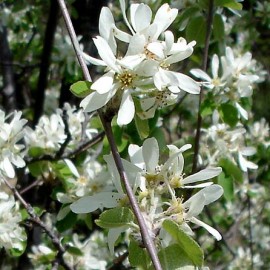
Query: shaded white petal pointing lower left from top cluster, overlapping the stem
(95, 101)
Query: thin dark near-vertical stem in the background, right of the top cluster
(204, 67)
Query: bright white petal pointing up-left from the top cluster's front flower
(106, 54)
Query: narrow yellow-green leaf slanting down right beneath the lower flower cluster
(193, 251)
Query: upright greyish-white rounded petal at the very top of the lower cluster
(150, 151)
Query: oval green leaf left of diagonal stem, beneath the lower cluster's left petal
(115, 217)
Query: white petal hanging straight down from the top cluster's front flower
(127, 109)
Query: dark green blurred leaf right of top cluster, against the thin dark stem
(196, 30)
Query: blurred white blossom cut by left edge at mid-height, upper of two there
(11, 153)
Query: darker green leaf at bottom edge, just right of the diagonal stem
(174, 257)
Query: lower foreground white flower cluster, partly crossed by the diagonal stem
(158, 190)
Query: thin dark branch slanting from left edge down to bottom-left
(35, 219)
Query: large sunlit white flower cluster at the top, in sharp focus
(141, 80)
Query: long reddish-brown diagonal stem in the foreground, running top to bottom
(148, 241)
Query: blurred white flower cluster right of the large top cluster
(239, 74)
